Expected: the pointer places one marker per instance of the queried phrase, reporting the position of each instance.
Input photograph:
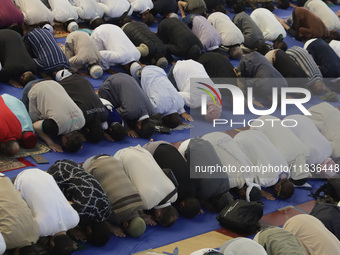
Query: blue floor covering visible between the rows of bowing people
(183, 228)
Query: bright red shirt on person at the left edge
(10, 127)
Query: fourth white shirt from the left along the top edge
(115, 8)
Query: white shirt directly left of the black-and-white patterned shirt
(49, 206)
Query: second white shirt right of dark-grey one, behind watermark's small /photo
(262, 153)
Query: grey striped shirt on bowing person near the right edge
(307, 64)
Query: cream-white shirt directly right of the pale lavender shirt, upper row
(230, 33)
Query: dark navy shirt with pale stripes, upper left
(48, 54)
